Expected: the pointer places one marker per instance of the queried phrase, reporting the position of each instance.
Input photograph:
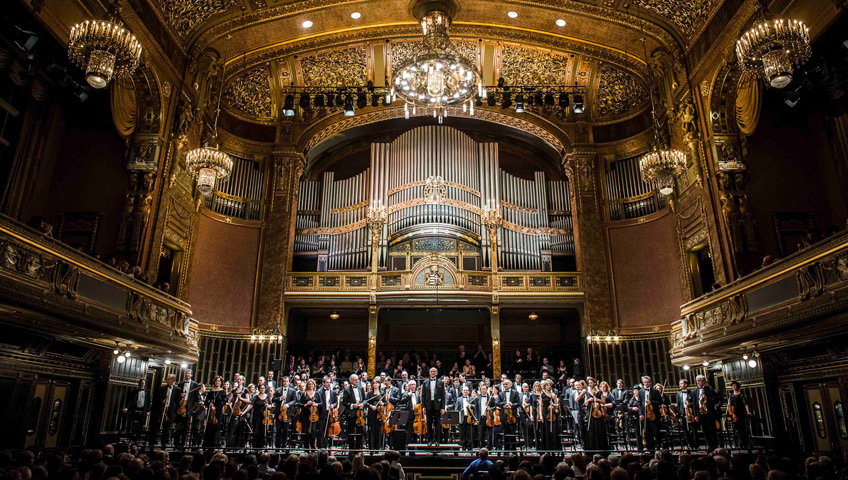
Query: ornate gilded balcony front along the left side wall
(80, 298)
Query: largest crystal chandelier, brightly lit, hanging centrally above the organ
(439, 77)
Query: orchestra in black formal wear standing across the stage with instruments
(457, 412)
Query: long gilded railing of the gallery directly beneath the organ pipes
(466, 280)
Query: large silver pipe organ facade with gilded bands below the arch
(433, 182)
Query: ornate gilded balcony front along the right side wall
(794, 299)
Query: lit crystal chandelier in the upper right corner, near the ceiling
(771, 48)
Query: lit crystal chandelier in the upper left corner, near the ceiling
(104, 48)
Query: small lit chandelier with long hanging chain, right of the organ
(661, 165)
